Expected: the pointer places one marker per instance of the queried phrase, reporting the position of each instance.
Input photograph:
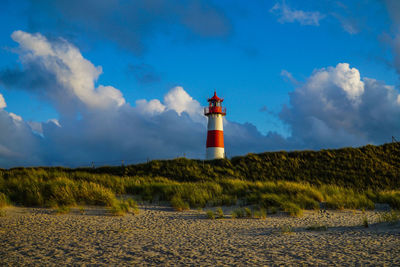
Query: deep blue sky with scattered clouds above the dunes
(106, 81)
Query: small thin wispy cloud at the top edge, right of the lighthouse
(288, 14)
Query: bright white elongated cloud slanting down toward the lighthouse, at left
(70, 74)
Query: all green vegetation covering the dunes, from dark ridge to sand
(349, 178)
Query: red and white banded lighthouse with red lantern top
(215, 132)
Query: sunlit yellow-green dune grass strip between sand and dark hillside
(290, 197)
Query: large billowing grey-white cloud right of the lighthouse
(335, 108)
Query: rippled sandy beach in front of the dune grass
(160, 236)
